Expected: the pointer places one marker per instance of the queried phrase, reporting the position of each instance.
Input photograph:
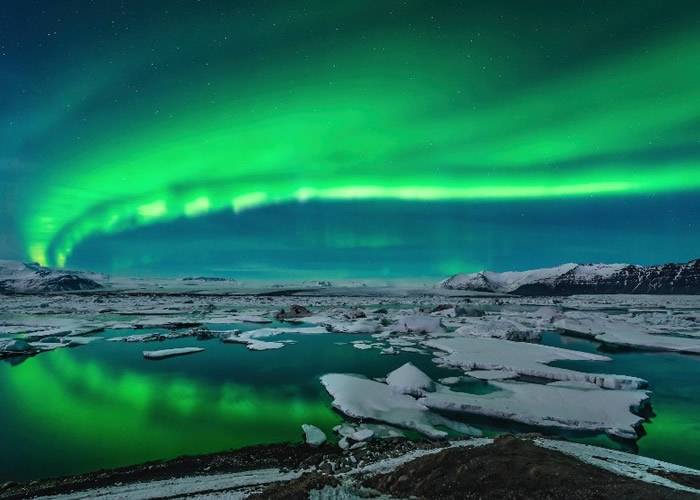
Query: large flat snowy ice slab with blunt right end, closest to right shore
(550, 406)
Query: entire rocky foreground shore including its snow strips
(526, 467)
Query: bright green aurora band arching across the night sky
(360, 123)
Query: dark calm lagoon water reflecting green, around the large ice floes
(103, 405)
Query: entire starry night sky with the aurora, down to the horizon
(315, 139)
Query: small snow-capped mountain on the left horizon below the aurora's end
(18, 277)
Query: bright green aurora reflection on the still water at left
(118, 415)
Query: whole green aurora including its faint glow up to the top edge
(192, 111)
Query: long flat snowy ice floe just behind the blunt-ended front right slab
(474, 353)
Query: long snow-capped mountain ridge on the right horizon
(570, 279)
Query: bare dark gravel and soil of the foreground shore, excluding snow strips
(509, 469)
